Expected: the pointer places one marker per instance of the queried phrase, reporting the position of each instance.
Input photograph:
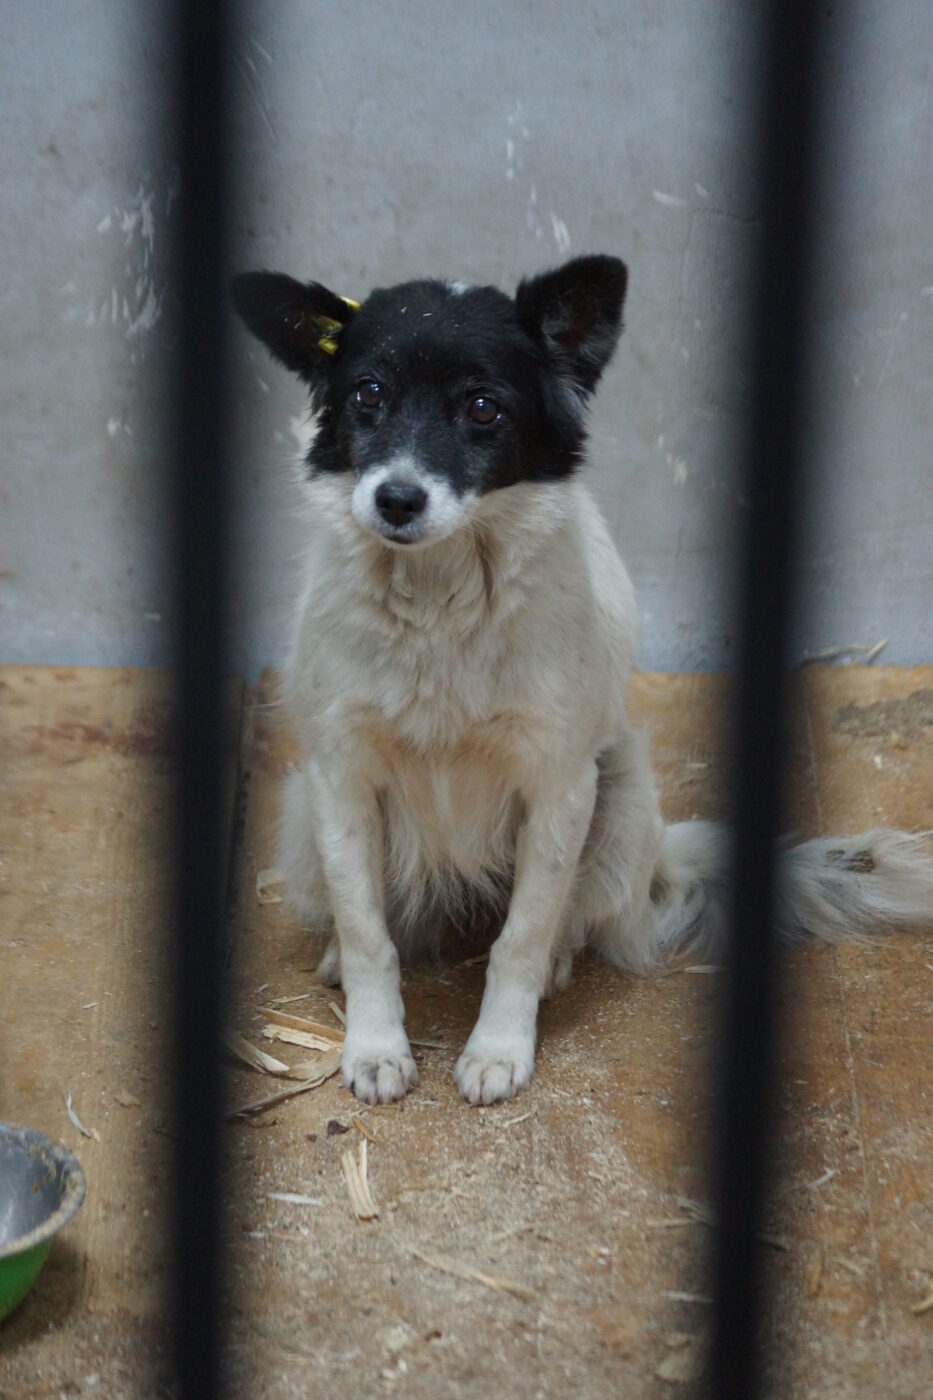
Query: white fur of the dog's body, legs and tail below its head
(467, 751)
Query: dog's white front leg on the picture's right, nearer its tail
(501, 1053)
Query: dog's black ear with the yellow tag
(299, 323)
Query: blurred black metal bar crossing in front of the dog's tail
(775, 457)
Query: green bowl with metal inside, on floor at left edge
(41, 1188)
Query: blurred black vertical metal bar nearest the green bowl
(202, 414)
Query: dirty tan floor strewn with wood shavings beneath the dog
(550, 1247)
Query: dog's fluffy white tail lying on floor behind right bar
(830, 890)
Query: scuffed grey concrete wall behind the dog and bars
(483, 141)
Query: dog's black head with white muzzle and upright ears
(432, 395)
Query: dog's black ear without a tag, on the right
(576, 314)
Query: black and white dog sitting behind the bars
(459, 677)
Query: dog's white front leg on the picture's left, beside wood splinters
(378, 1059)
